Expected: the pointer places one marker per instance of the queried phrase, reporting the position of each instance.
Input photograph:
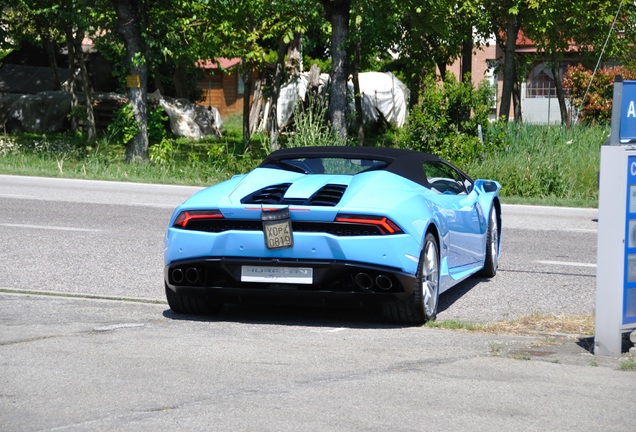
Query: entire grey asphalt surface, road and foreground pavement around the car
(75, 362)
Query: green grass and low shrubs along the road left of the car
(178, 161)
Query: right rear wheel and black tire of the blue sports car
(422, 306)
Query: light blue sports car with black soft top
(334, 225)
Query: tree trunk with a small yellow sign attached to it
(131, 20)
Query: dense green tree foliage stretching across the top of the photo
(161, 40)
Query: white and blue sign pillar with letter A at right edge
(616, 259)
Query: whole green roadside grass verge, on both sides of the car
(542, 165)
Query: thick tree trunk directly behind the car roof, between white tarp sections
(338, 15)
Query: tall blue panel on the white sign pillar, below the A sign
(629, 285)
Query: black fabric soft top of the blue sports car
(403, 162)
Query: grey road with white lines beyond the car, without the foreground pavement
(106, 238)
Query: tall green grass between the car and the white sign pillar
(547, 165)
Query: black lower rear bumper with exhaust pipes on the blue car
(331, 281)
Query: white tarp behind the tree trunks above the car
(383, 94)
